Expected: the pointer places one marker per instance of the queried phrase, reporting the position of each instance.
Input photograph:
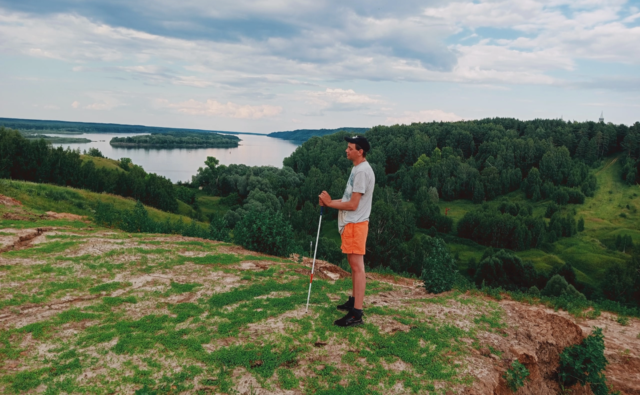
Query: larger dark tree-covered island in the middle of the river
(177, 140)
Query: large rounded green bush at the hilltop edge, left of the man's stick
(265, 232)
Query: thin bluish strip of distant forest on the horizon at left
(35, 125)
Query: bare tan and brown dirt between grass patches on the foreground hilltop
(532, 334)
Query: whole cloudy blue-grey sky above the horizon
(272, 65)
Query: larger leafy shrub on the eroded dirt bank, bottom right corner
(584, 363)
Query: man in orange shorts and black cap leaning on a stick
(353, 223)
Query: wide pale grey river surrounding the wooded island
(179, 164)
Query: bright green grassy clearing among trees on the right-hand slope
(587, 251)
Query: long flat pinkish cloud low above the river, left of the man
(227, 110)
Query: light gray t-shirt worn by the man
(361, 180)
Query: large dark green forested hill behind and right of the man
(517, 188)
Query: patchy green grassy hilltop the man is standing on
(90, 310)
